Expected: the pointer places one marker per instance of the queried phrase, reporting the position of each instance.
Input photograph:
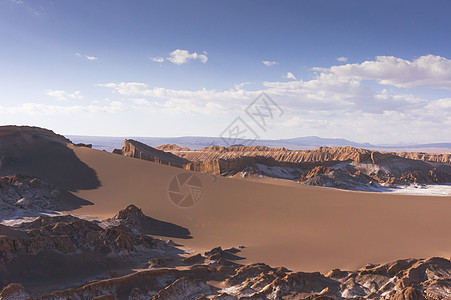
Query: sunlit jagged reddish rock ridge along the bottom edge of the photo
(219, 278)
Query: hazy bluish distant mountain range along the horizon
(299, 143)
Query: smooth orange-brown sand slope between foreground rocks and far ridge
(300, 227)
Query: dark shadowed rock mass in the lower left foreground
(66, 249)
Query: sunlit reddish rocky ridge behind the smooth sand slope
(341, 167)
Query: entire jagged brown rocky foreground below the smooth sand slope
(84, 254)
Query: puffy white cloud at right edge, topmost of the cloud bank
(427, 71)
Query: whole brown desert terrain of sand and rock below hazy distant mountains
(81, 223)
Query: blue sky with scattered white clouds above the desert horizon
(367, 71)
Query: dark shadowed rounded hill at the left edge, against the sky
(40, 153)
